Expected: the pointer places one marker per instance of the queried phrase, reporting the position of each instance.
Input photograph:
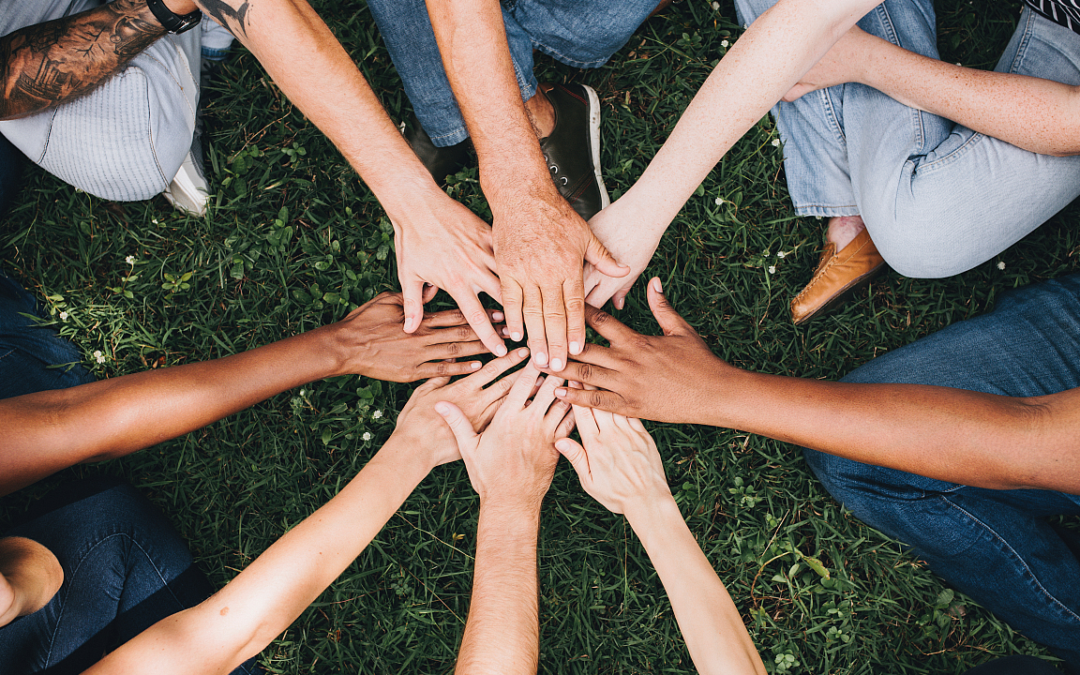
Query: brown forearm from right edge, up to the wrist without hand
(950, 435)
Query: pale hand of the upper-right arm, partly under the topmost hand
(630, 244)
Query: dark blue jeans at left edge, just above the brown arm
(33, 359)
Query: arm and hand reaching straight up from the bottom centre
(511, 466)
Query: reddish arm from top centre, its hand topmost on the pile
(541, 242)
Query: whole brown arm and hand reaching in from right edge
(951, 435)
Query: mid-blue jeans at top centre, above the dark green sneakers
(583, 34)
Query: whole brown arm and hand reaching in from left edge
(52, 430)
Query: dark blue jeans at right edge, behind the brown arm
(995, 546)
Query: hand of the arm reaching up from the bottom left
(422, 427)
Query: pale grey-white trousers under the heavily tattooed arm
(127, 140)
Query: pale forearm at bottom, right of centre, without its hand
(713, 629)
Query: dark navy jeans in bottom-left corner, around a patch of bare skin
(125, 570)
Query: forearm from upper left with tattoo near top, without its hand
(327, 86)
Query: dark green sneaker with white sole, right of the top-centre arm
(573, 150)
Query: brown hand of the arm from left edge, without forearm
(371, 343)
